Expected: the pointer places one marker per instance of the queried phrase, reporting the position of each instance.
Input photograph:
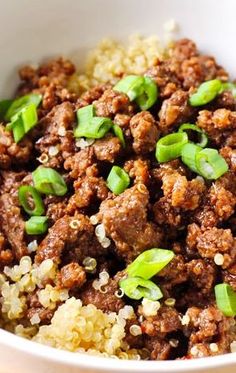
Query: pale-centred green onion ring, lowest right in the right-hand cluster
(210, 164)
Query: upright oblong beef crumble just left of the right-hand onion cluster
(144, 131)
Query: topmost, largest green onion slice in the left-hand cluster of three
(48, 181)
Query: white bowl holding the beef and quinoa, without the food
(31, 30)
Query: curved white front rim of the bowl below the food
(81, 360)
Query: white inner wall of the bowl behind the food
(31, 31)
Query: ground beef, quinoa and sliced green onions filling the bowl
(117, 208)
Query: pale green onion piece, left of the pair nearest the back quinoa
(132, 85)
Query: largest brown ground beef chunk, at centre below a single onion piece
(125, 221)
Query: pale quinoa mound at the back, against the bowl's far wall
(111, 59)
